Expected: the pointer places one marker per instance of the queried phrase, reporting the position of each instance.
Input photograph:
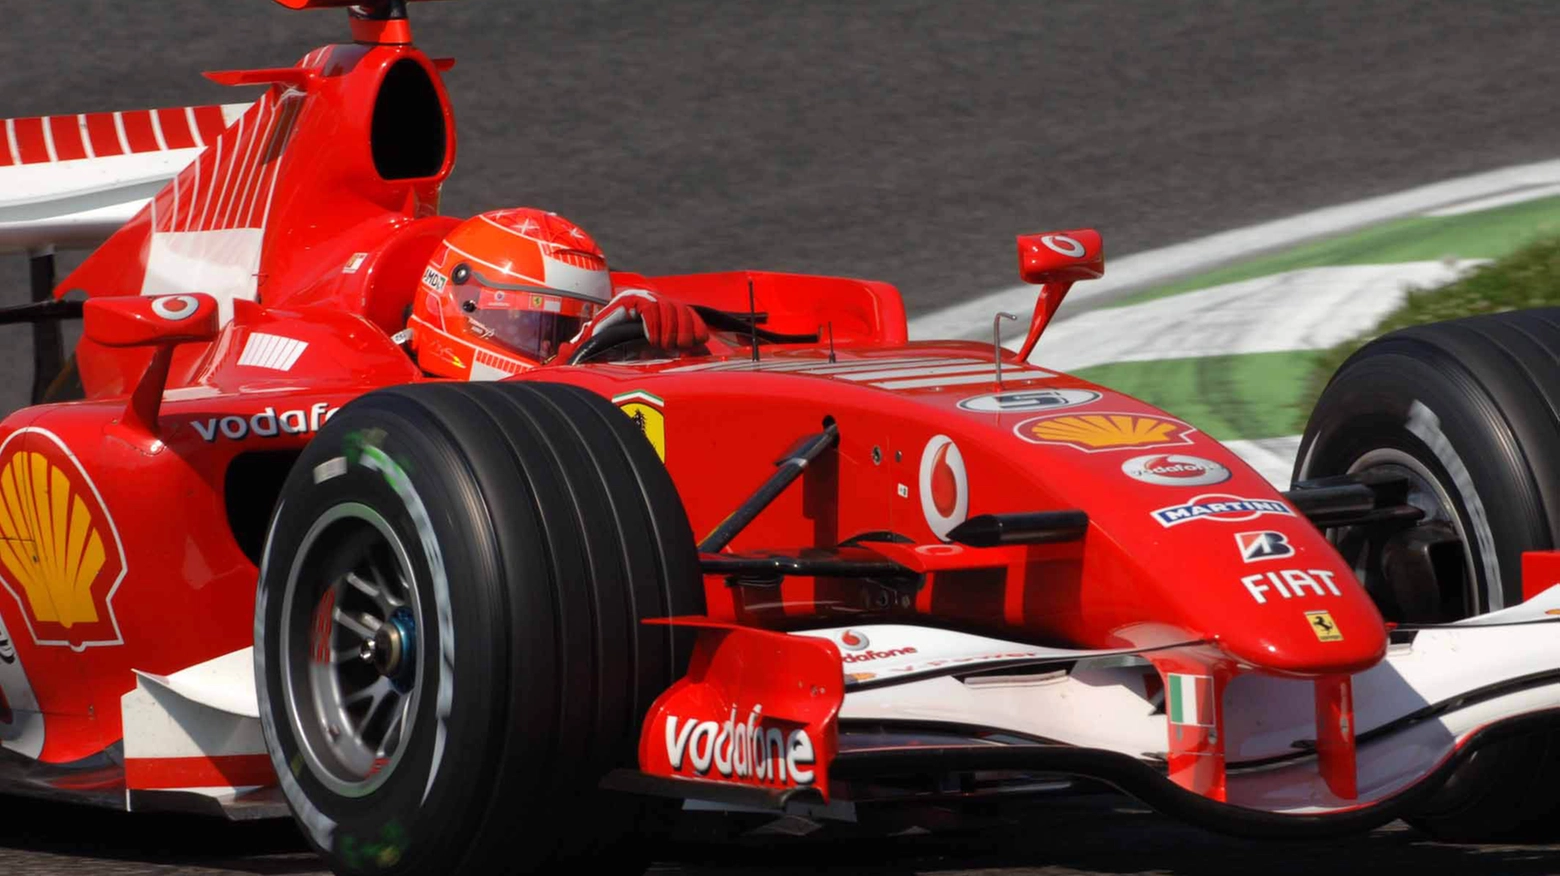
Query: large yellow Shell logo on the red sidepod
(60, 553)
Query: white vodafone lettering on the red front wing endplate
(742, 751)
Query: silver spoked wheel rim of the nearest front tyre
(352, 649)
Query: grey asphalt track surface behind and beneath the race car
(901, 141)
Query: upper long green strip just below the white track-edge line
(1484, 235)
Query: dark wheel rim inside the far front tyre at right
(1423, 573)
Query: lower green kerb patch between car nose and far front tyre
(1258, 395)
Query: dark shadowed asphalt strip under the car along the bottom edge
(1090, 836)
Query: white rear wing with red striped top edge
(71, 182)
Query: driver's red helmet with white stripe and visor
(503, 292)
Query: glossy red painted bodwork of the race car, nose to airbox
(146, 518)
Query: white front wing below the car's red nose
(1107, 702)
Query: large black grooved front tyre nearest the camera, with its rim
(448, 632)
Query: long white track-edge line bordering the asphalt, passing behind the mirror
(973, 319)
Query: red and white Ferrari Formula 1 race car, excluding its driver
(257, 562)
